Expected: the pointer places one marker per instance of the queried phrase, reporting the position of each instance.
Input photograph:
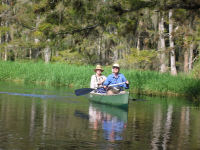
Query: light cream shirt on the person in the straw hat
(95, 80)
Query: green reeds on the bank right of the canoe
(155, 83)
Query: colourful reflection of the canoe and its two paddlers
(112, 120)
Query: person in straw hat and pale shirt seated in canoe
(97, 79)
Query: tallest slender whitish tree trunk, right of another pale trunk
(172, 51)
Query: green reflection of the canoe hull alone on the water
(121, 114)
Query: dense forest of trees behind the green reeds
(161, 35)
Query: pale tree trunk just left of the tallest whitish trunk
(162, 47)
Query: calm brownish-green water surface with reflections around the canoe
(37, 118)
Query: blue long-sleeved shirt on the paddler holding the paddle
(111, 79)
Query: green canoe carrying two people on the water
(119, 100)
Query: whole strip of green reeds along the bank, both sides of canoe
(75, 76)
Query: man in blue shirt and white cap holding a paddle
(115, 78)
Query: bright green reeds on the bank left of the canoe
(54, 74)
